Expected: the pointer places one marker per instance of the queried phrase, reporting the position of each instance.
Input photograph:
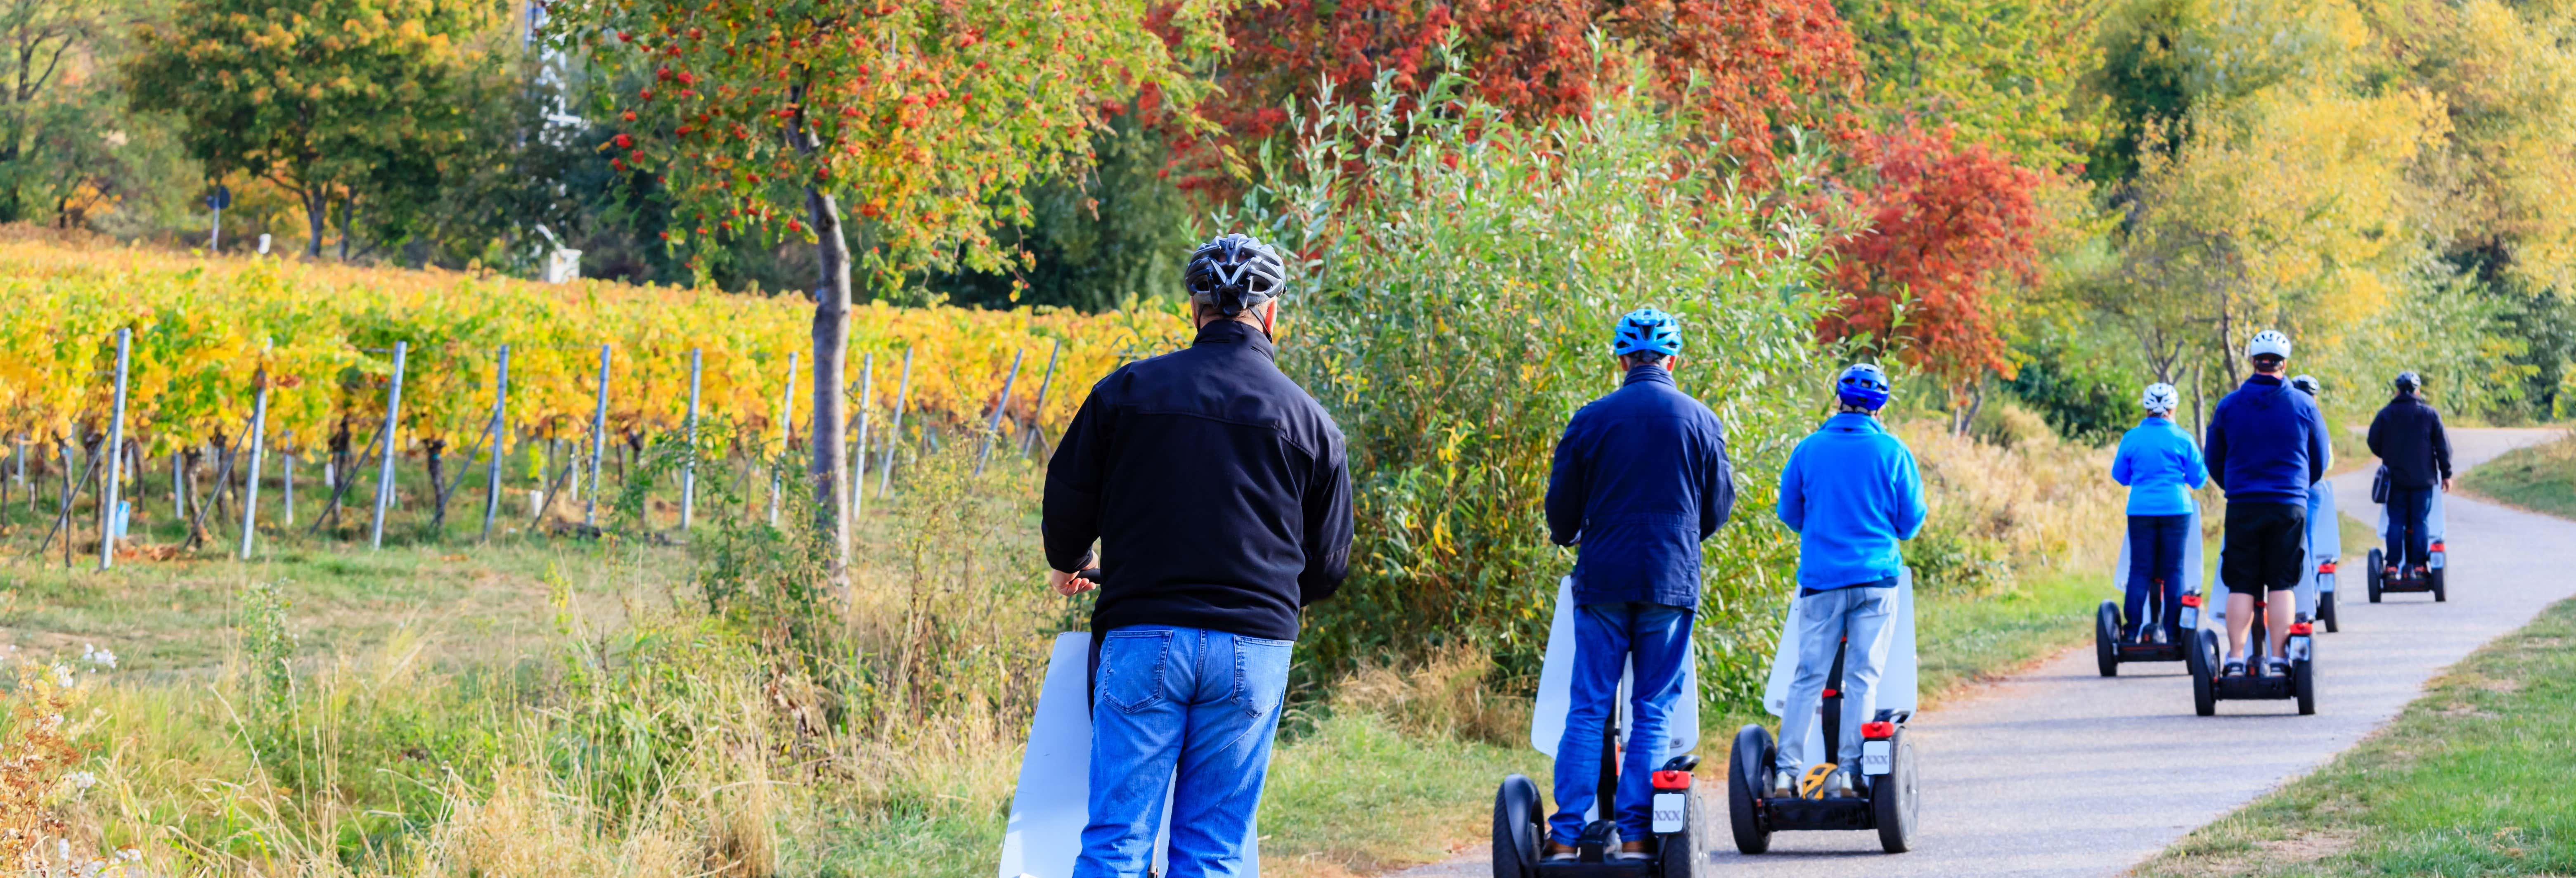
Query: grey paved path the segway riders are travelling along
(2065, 774)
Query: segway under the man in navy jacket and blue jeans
(1678, 833)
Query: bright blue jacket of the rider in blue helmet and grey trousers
(1853, 493)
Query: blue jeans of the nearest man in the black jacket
(1199, 702)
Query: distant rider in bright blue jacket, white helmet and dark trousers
(2160, 467)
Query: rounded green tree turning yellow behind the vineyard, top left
(326, 99)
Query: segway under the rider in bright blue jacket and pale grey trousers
(1887, 792)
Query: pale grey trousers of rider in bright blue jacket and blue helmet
(1825, 622)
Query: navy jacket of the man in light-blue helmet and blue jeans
(1640, 483)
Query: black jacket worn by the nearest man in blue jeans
(1215, 485)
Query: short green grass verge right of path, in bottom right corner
(2467, 781)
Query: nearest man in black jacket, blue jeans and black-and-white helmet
(1222, 506)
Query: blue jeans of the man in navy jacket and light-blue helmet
(1604, 640)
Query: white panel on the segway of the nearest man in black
(1052, 805)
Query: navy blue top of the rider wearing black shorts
(2268, 444)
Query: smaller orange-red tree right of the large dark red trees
(1946, 225)
